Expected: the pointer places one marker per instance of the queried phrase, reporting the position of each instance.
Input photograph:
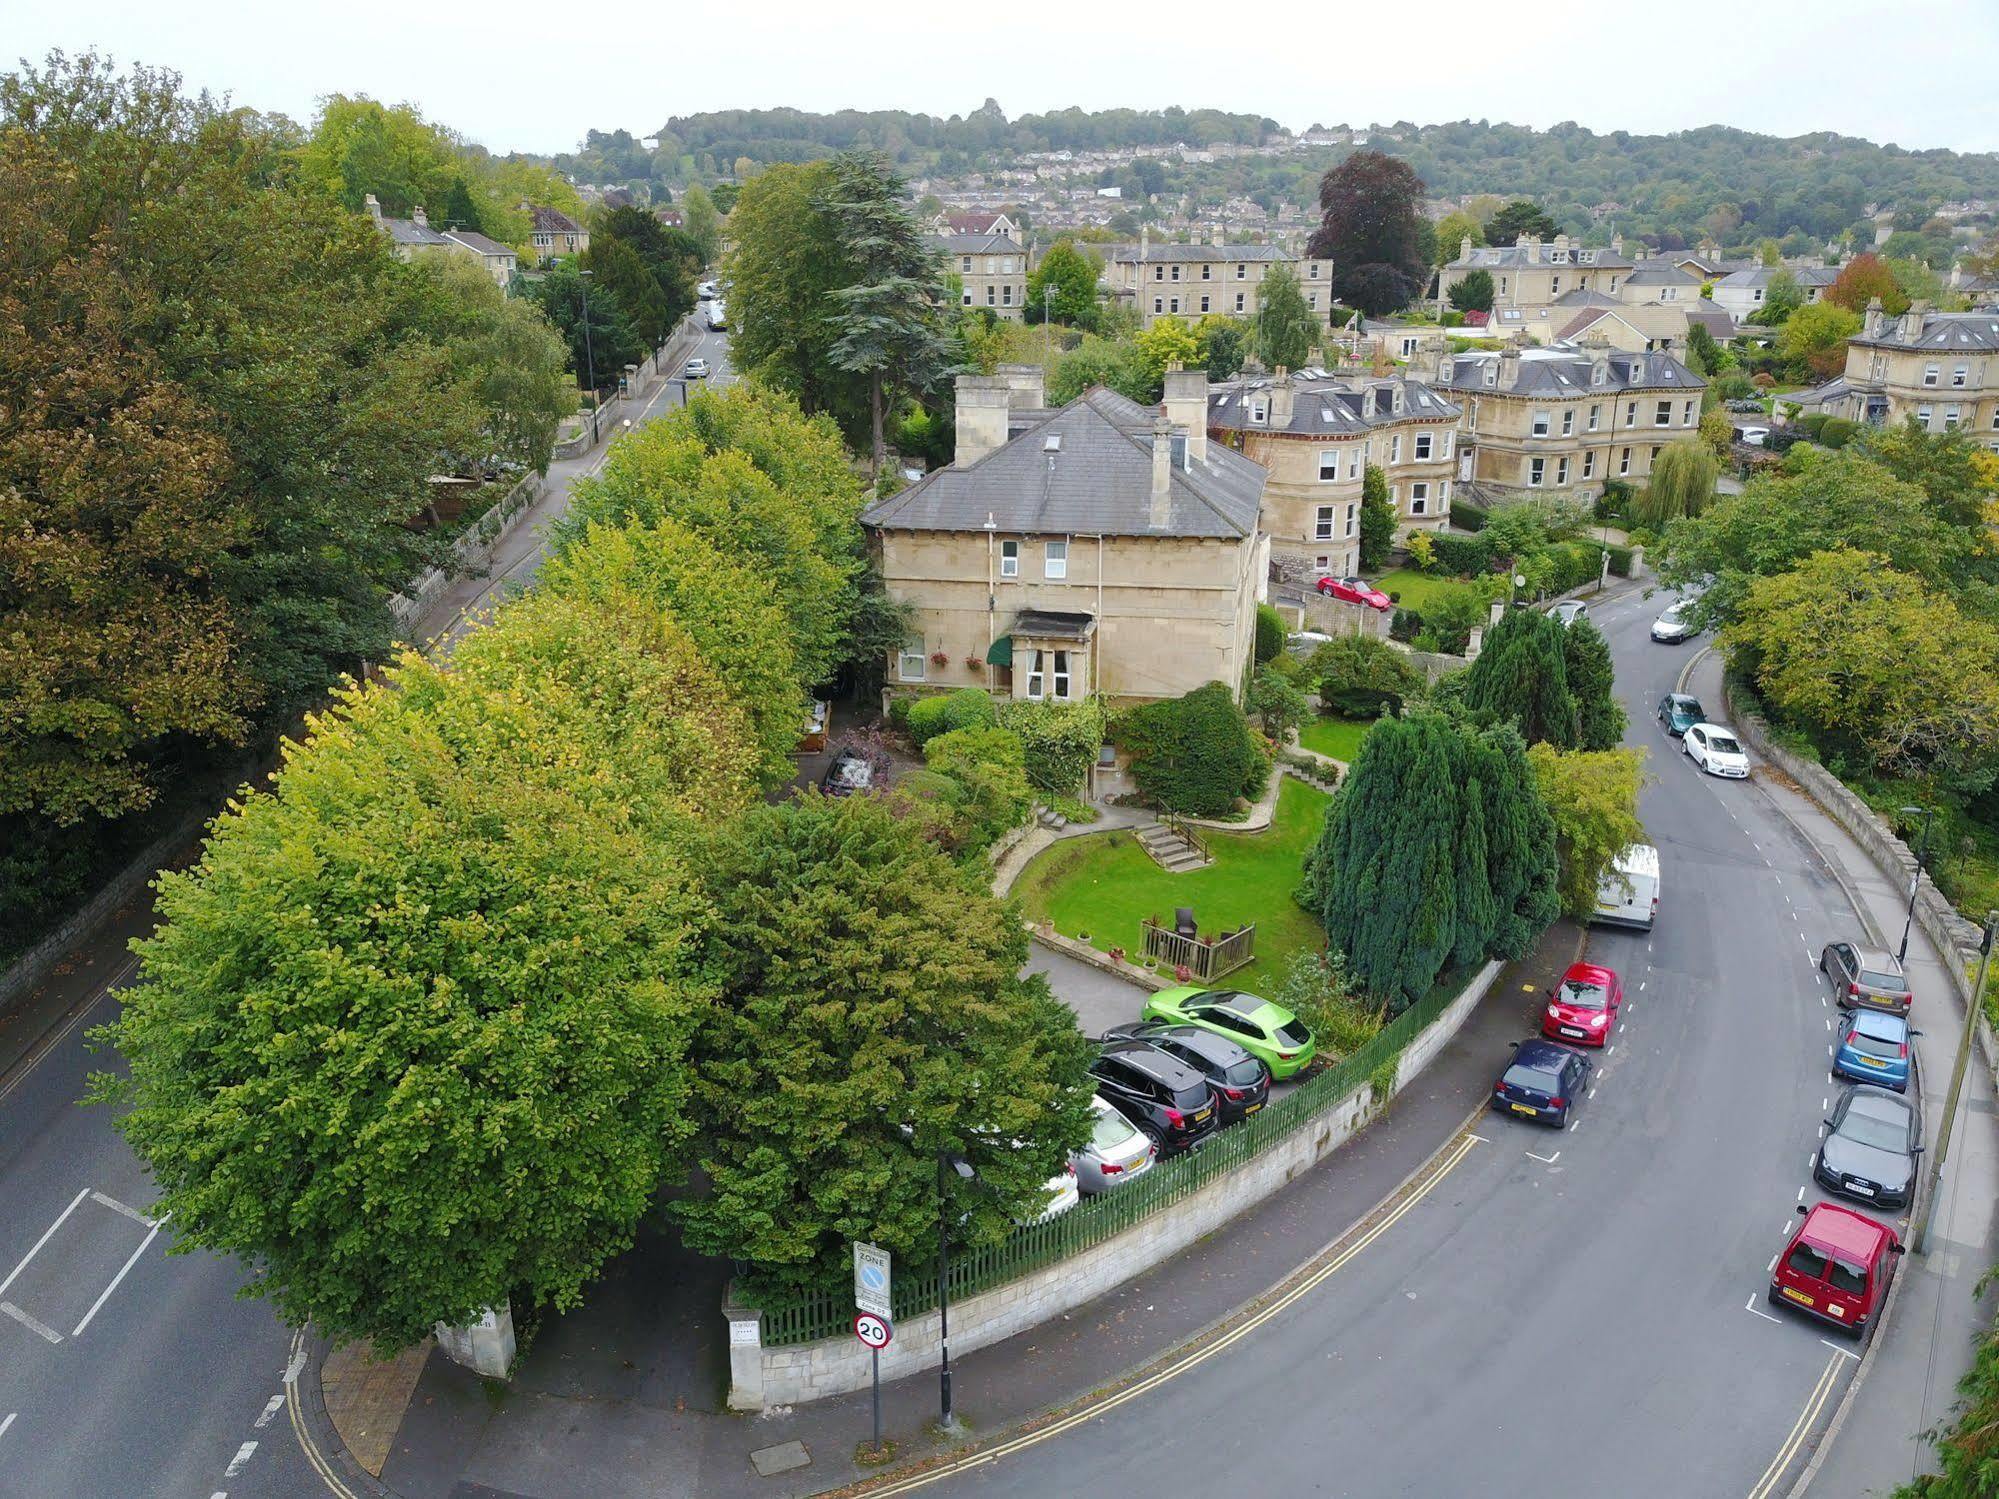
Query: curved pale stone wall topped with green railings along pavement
(765, 1378)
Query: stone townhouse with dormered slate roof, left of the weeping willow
(1566, 419)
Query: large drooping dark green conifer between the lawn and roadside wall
(1438, 852)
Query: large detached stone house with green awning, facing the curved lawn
(1098, 549)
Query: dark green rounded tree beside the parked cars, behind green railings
(873, 1014)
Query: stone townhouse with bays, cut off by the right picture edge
(1938, 367)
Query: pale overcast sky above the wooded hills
(535, 77)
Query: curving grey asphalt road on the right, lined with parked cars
(1582, 1312)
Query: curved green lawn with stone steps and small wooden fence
(1106, 886)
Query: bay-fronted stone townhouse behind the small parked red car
(1316, 435)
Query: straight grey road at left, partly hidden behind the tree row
(127, 1370)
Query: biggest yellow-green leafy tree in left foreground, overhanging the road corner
(413, 1034)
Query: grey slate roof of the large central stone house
(1086, 471)
